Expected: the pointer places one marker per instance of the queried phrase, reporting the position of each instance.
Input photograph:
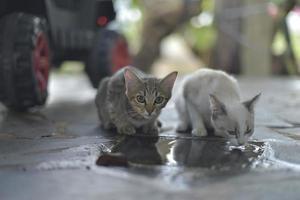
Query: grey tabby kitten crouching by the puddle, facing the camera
(131, 99)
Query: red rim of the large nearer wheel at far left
(41, 61)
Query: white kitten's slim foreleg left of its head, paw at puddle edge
(198, 127)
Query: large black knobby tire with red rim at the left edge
(24, 61)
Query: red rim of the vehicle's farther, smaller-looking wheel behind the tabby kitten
(120, 55)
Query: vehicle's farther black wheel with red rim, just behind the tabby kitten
(109, 54)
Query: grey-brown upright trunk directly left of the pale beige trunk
(226, 53)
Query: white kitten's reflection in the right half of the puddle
(216, 154)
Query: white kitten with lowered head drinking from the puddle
(210, 101)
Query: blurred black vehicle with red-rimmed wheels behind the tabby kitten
(37, 34)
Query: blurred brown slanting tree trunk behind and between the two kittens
(162, 17)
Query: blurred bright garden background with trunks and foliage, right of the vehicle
(249, 37)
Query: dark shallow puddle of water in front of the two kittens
(209, 154)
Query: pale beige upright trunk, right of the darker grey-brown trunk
(257, 34)
